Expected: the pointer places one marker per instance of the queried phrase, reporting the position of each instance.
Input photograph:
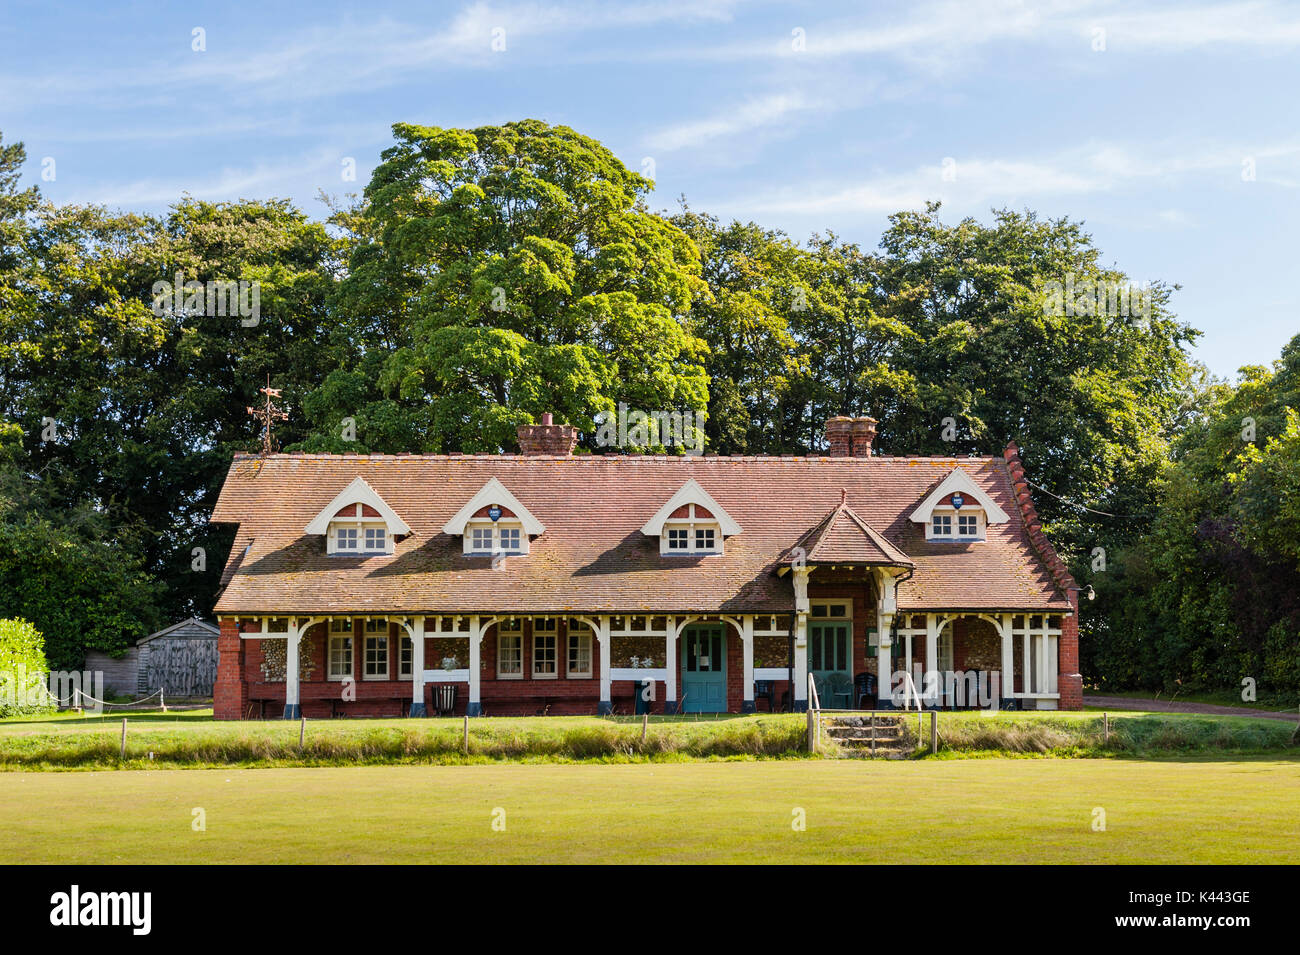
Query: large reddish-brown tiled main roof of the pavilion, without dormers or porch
(593, 557)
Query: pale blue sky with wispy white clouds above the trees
(1141, 119)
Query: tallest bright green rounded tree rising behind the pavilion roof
(505, 272)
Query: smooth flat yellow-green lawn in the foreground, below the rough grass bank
(929, 811)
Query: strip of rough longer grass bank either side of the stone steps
(193, 741)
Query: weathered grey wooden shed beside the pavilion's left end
(181, 659)
